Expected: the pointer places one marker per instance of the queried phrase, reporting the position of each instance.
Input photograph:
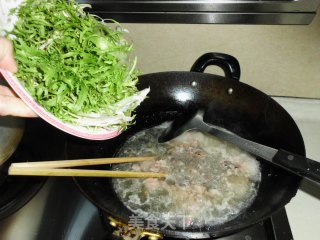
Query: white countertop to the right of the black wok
(304, 209)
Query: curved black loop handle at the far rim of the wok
(228, 63)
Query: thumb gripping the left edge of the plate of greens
(7, 61)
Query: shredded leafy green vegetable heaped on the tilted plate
(71, 62)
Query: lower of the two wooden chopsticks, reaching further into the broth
(80, 173)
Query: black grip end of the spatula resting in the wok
(302, 166)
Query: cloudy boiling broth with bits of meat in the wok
(209, 181)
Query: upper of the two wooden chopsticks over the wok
(80, 162)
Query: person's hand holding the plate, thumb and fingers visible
(10, 104)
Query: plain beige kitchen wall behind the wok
(279, 60)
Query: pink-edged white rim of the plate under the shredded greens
(82, 132)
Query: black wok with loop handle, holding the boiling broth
(230, 104)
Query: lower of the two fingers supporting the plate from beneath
(13, 106)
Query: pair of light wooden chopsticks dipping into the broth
(61, 168)
